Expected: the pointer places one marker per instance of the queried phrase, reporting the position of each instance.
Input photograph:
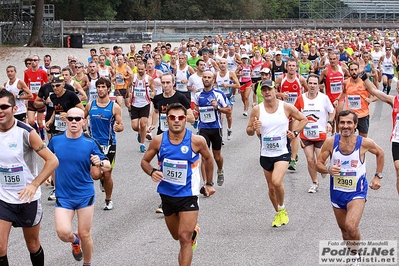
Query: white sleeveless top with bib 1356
(18, 163)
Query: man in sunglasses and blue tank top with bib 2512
(178, 175)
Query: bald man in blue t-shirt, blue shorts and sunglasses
(75, 184)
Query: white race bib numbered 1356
(12, 177)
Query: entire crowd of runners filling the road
(299, 89)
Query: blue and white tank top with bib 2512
(180, 167)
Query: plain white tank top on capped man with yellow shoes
(273, 131)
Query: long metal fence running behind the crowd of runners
(97, 32)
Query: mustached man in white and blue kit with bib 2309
(348, 183)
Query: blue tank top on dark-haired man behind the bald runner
(102, 123)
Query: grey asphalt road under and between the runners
(235, 222)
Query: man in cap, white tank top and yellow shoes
(269, 120)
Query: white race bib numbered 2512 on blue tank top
(175, 171)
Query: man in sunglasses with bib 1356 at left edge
(20, 198)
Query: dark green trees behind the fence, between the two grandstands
(175, 10)
